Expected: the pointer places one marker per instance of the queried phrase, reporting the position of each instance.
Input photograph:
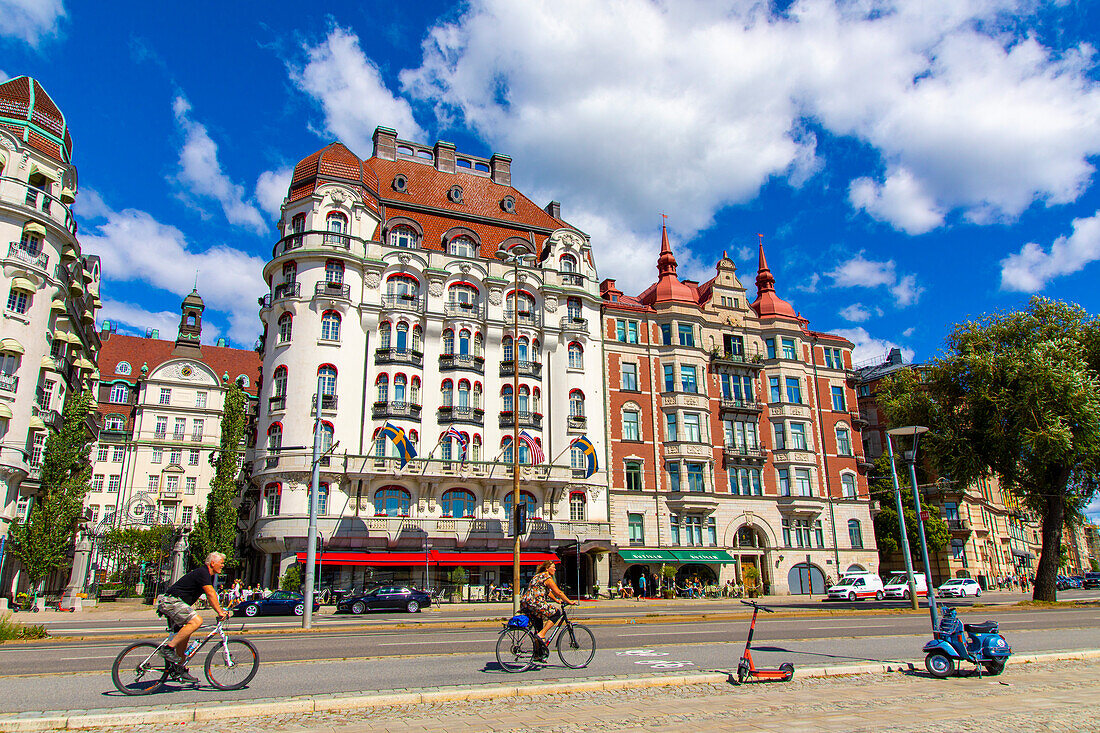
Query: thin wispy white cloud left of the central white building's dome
(202, 176)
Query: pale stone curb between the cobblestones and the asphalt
(117, 717)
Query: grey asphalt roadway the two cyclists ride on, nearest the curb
(73, 675)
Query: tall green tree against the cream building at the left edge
(42, 542)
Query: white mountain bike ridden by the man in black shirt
(142, 670)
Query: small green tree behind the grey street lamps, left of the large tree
(887, 529)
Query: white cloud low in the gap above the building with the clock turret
(135, 247)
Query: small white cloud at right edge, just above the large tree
(1032, 268)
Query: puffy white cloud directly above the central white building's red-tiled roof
(351, 92)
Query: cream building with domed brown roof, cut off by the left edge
(49, 343)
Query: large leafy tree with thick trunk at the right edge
(1017, 396)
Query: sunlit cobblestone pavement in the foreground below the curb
(1028, 697)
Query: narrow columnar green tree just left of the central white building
(216, 527)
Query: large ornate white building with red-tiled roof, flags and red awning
(388, 286)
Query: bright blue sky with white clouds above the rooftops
(909, 165)
